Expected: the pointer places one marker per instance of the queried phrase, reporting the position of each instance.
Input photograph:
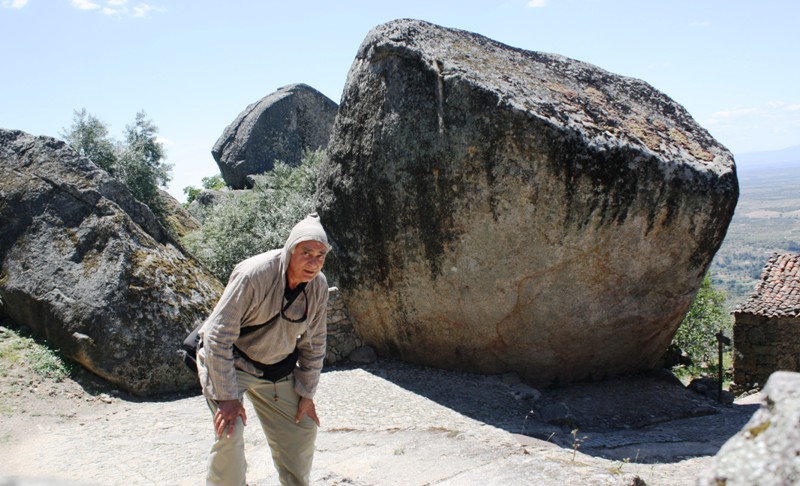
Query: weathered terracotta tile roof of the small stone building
(778, 292)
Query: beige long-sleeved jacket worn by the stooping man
(254, 295)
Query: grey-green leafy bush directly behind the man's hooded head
(251, 222)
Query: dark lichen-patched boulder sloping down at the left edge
(89, 268)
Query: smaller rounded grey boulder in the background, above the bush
(278, 127)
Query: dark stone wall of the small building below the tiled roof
(764, 345)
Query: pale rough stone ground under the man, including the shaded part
(388, 423)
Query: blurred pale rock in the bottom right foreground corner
(767, 450)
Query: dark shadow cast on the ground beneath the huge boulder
(648, 418)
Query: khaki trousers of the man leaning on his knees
(292, 444)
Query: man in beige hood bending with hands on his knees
(266, 339)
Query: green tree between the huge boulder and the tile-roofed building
(706, 317)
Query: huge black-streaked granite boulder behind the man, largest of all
(496, 209)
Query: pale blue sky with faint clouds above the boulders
(194, 65)
